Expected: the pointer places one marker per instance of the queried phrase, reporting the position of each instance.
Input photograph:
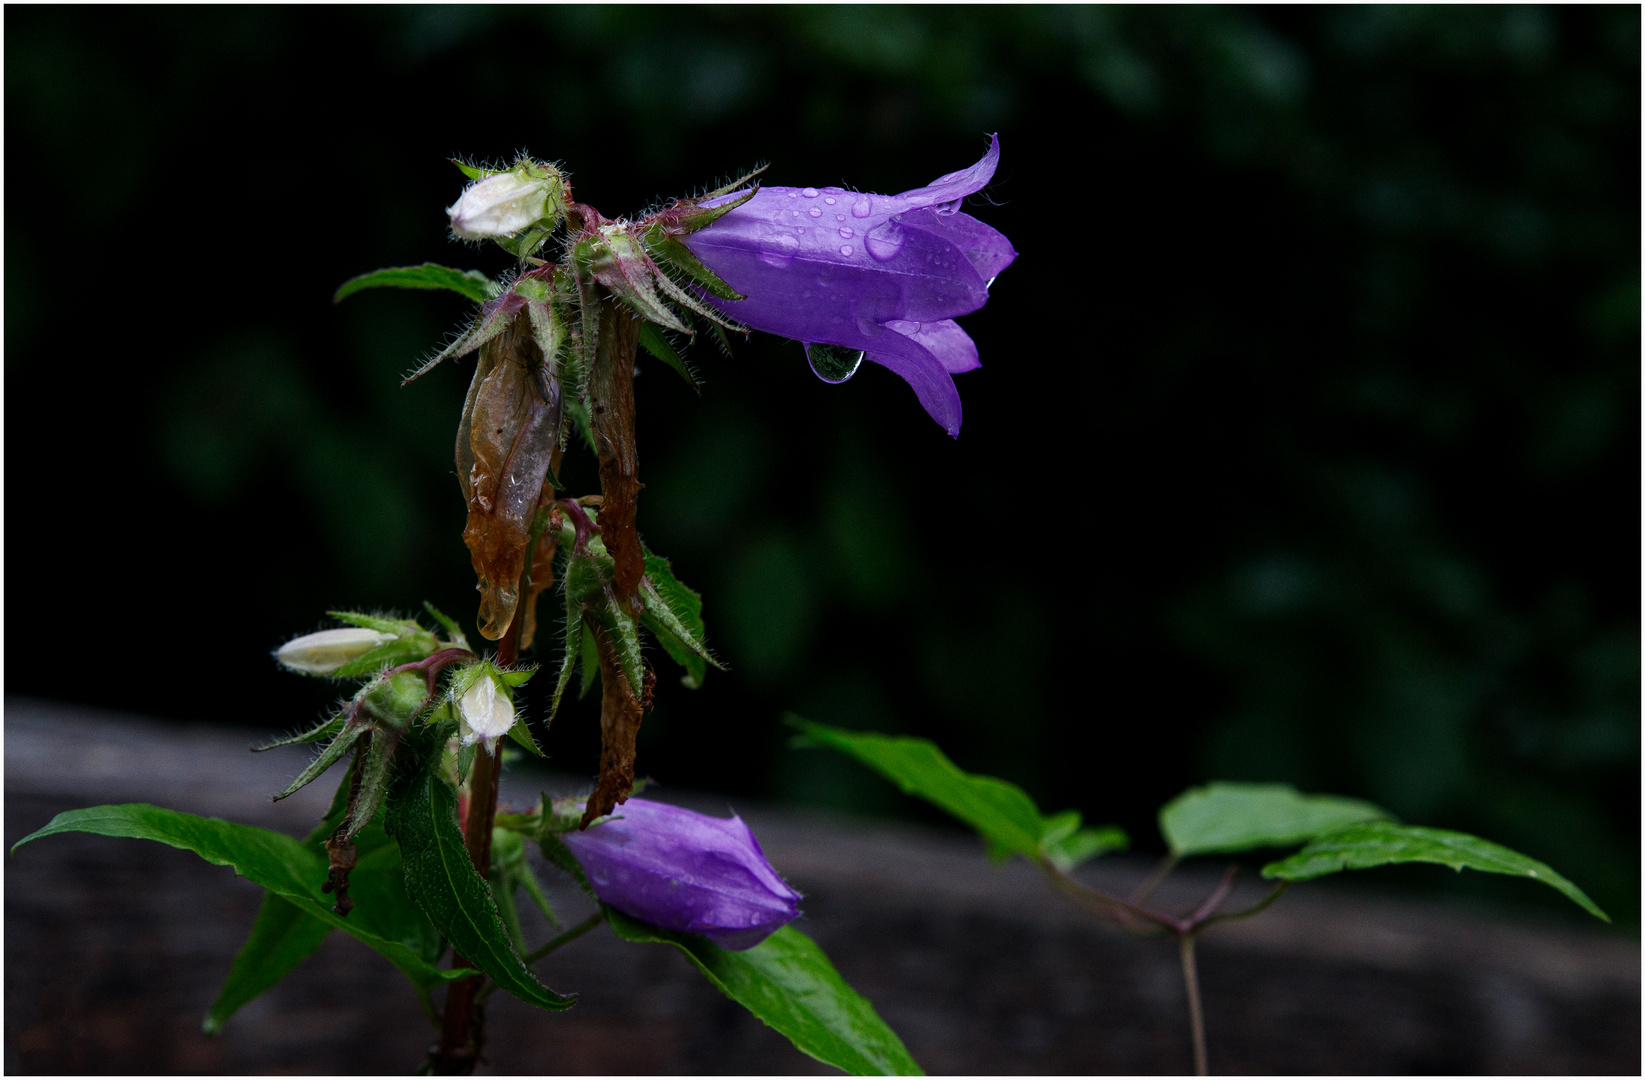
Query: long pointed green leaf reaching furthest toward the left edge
(274, 861)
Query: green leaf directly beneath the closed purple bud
(790, 984)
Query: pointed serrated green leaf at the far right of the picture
(1381, 844)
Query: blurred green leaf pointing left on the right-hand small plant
(1001, 811)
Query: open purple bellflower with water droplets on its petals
(855, 277)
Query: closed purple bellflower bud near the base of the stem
(685, 872)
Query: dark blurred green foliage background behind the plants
(1305, 445)
